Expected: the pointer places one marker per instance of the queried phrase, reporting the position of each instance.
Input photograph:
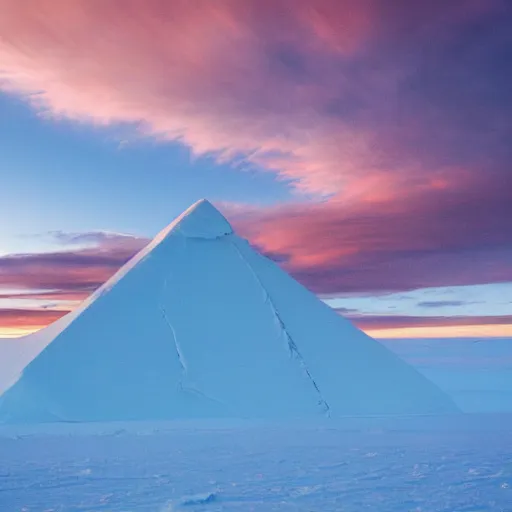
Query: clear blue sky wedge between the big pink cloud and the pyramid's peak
(59, 175)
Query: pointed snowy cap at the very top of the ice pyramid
(201, 220)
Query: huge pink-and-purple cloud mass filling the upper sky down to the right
(392, 110)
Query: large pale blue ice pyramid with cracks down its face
(199, 325)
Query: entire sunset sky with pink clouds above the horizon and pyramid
(362, 145)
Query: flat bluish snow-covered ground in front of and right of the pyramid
(413, 465)
